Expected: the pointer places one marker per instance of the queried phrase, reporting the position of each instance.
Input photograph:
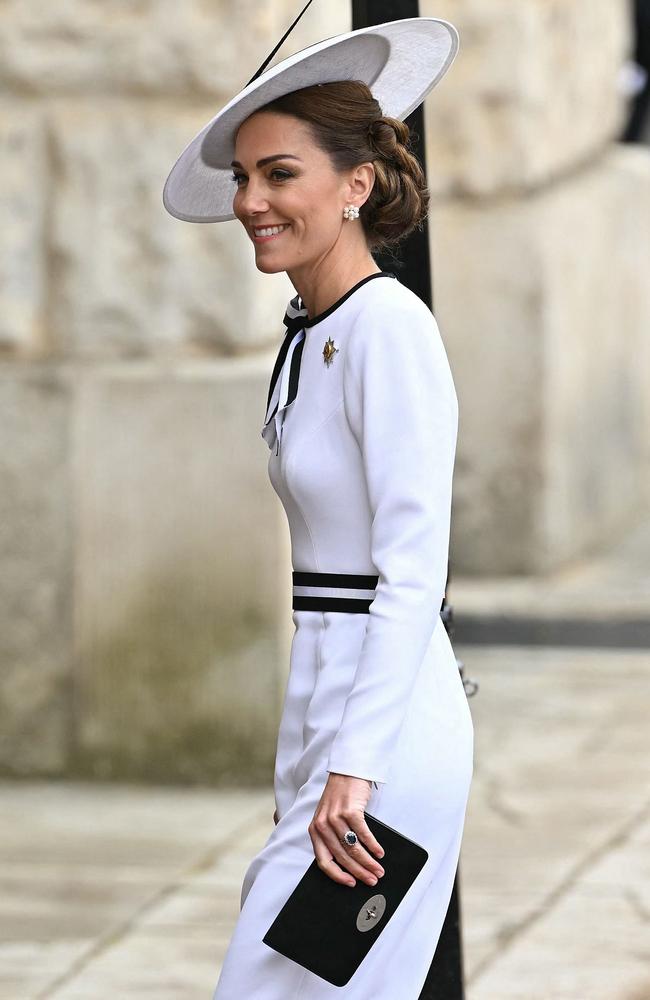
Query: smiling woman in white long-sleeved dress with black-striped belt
(361, 423)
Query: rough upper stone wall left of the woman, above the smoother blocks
(100, 99)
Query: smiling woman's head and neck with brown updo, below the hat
(345, 156)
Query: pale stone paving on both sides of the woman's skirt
(126, 892)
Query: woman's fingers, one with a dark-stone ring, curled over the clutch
(337, 859)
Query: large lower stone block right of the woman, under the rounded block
(544, 308)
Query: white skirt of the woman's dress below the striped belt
(425, 799)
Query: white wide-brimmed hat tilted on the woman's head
(400, 61)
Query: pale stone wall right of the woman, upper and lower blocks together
(540, 236)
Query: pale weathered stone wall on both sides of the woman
(145, 585)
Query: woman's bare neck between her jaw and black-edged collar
(322, 283)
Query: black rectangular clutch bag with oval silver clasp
(329, 928)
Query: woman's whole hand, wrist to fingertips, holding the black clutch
(341, 809)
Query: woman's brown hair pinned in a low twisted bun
(347, 123)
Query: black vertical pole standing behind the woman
(412, 265)
